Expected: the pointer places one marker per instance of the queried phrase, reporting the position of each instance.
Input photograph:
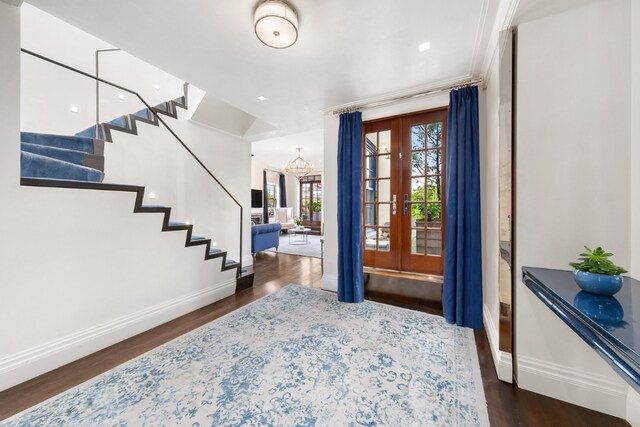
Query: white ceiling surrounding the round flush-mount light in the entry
(348, 50)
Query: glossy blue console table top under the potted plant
(610, 325)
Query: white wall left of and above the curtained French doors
(330, 186)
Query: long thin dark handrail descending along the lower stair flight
(160, 120)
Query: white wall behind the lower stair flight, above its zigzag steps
(155, 159)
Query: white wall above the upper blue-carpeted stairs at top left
(49, 91)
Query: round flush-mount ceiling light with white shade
(276, 24)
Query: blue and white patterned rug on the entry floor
(294, 358)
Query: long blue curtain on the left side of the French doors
(350, 263)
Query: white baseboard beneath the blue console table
(583, 388)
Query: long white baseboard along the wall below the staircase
(22, 366)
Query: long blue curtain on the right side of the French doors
(462, 288)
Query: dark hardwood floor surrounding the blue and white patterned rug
(508, 405)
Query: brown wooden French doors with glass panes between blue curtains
(403, 192)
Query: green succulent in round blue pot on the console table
(596, 273)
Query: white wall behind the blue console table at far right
(573, 134)
